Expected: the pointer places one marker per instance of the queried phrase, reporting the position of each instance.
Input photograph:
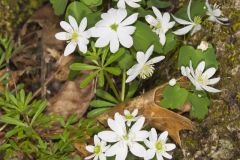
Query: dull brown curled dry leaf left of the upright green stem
(71, 98)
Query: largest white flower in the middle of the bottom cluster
(124, 138)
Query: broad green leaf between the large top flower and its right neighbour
(144, 37)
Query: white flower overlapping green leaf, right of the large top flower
(161, 24)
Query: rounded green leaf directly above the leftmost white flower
(78, 10)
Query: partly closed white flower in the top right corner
(215, 14)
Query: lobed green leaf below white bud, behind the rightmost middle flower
(188, 53)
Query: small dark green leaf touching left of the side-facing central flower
(126, 61)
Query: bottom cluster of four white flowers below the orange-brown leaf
(126, 137)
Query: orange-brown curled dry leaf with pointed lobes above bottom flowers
(157, 117)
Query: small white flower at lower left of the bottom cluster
(98, 149)
